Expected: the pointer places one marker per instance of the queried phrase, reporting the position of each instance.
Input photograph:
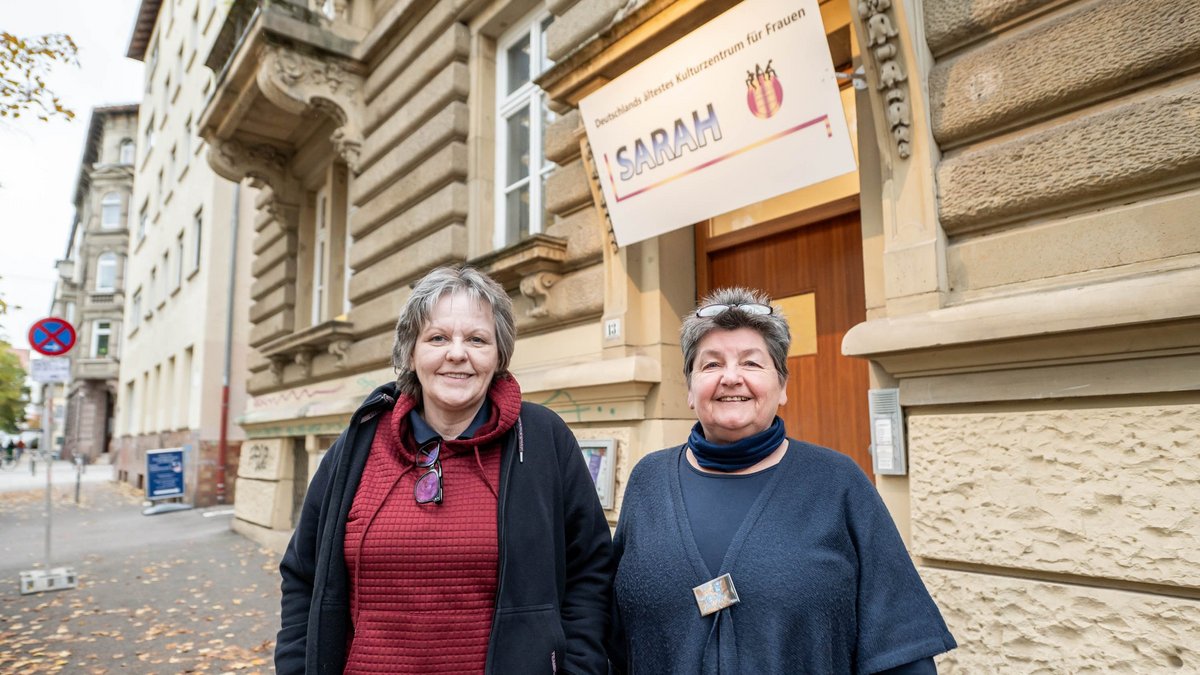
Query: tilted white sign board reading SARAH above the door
(740, 111)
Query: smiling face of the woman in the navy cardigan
(735, 389)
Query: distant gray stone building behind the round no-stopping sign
(91, 291)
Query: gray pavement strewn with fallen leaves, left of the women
(177, 593)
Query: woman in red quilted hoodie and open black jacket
(452, 528)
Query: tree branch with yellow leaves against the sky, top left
(25, 65)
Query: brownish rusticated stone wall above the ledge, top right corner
(1054, 118)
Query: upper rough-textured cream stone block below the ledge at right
(1100, 493)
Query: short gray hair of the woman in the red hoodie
(419, 308)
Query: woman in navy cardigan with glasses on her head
(747, 552)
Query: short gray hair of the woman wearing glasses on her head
(772, 327)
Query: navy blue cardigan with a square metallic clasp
(824, 577)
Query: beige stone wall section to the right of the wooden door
(1041, 315)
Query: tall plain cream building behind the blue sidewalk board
(179, 338)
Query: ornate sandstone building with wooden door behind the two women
(1016, 255)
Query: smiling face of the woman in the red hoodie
(455, 356)
